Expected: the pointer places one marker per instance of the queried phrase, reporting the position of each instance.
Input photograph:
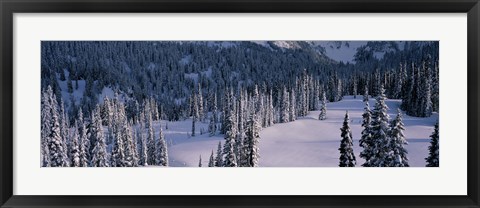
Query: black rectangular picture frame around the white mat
(9, 7)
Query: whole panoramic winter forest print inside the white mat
(239, 103)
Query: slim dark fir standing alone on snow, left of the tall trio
(347, 158)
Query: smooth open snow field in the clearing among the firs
(306, 142)
